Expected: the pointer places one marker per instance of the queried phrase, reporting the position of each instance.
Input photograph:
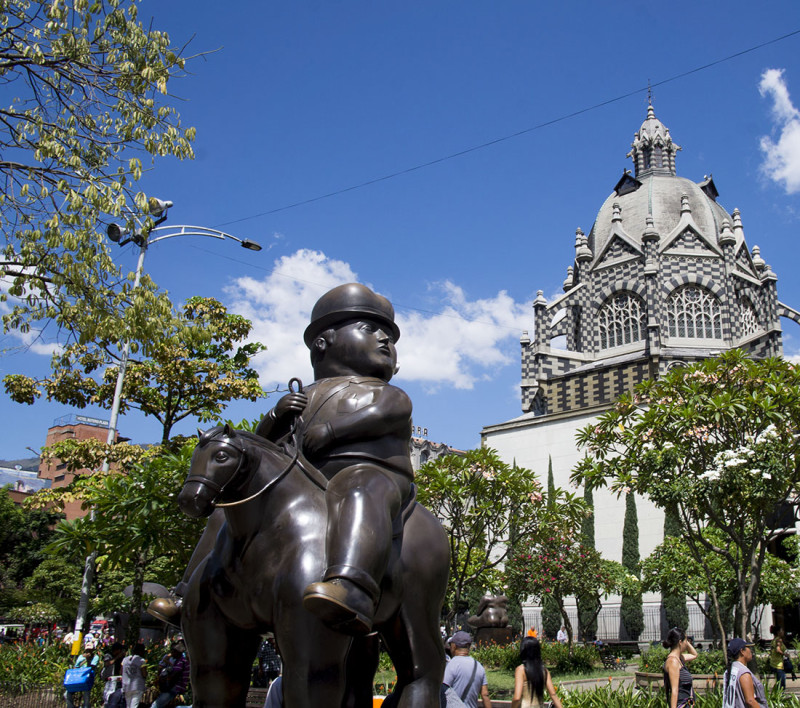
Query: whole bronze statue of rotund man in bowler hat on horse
(321, 541)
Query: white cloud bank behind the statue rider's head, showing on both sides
(465, 342)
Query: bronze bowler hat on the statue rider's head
(345, 302)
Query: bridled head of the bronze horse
(220, 468)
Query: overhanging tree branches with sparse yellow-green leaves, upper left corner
(85, 120)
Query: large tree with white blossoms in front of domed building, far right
(718, 441)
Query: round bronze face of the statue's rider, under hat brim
(365, 347)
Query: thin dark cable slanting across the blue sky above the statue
(511, 136)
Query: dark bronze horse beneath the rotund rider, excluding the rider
(271, 546)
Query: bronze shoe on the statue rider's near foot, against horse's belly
(341, 605)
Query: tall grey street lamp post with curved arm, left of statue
(143, 238)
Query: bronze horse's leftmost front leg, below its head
(221, 655)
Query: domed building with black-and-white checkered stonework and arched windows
(664, 278)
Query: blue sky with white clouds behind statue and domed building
(297, 100)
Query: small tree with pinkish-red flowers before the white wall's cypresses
(557, 565)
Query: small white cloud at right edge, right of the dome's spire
(781, 154)
